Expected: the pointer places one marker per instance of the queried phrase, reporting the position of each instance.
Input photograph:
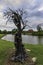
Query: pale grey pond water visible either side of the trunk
(26, 39)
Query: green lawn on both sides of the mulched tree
(36, 50)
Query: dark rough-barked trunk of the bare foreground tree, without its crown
(20, 53)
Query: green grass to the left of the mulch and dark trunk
(4, 48)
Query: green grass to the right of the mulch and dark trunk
(37, 51)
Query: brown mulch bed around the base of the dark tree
(11, 52)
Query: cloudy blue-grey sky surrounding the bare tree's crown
(34, 9)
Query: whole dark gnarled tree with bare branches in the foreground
(19, 19)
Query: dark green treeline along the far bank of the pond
(35, 33)
